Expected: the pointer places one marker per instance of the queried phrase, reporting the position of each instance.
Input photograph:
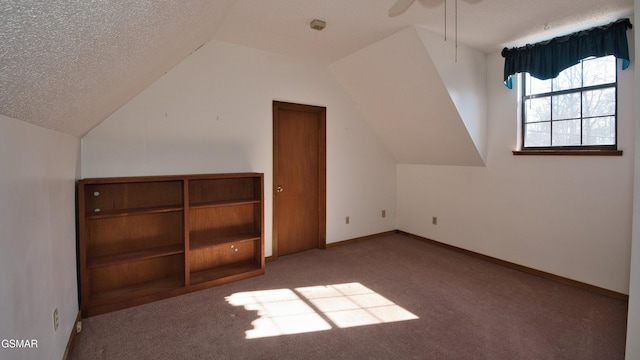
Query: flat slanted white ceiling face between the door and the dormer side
(401, 93)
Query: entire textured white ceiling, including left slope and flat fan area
(67, 65)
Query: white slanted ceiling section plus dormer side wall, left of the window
(411, 99)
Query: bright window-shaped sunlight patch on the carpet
(316, 308)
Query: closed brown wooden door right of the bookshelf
(299, 178)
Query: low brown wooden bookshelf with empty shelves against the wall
(143, 239)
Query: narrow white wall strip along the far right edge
(633, 319)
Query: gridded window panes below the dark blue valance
(574, 111)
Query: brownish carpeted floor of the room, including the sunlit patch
(391, 297)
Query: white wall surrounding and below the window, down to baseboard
(570, 216)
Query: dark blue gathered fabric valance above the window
(545, 60)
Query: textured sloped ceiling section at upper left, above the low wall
(67, 65)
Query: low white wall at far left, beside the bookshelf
(38, 246)
